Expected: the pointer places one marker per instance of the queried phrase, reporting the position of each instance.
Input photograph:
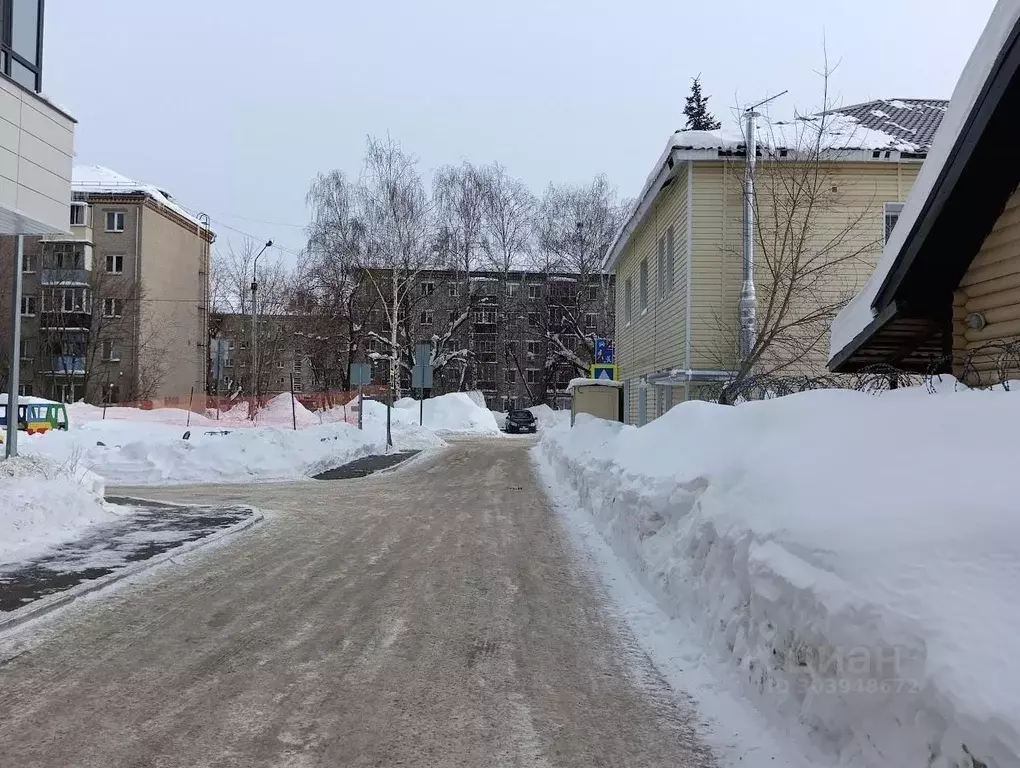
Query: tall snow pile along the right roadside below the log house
(857, 558)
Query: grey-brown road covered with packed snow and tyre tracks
(435, 617)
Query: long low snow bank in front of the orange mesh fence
(127, 452)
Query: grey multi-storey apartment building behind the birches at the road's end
(518, 337)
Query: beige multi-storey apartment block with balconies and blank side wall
(119, 310)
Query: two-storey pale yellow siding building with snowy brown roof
(680, 259)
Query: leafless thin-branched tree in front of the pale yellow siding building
(813, 245)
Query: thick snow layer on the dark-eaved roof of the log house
(858, 315)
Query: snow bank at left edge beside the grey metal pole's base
(46, 503)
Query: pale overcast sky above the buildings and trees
(235, 106)
